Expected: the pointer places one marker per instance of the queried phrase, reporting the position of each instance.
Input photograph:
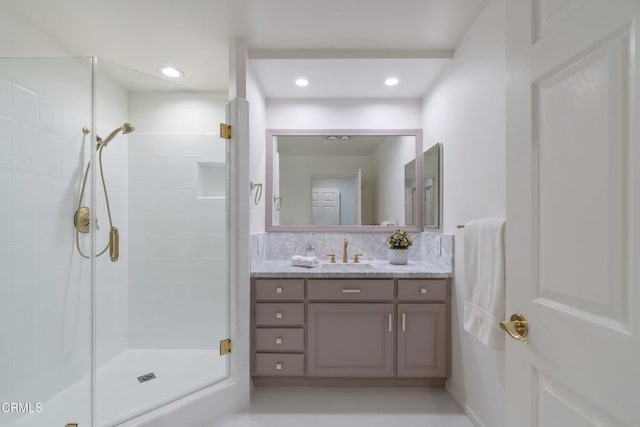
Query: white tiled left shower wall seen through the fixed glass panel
(44, 287)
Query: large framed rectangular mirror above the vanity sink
(343, 180)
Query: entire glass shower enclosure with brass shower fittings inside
(114, 269)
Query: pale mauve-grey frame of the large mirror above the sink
(271, 133)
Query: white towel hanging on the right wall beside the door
(484, 306)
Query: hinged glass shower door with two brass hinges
(162, 306)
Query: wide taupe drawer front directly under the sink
(346, 290)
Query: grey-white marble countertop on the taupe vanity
(367, 269)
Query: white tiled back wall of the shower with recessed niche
(178, 286)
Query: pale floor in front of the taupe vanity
(348, 407)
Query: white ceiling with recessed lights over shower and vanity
(193, 35)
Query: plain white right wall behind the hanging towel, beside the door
(466, 112)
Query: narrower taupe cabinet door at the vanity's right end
(422, 343)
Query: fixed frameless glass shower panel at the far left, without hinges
(45, 288)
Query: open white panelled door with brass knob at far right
(573, 212)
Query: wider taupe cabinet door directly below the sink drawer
(350, 340)
